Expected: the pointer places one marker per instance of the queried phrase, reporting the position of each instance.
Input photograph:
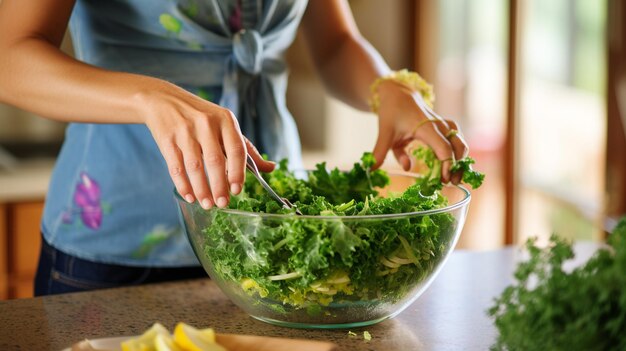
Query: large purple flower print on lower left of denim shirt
(87, 197)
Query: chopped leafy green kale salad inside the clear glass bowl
(305, 262)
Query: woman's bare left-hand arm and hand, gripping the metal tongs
(190, 132)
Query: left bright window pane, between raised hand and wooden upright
(470, 82)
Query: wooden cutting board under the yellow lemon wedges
(232, 342)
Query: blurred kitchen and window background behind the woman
(538, 87)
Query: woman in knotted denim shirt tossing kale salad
(163, 90)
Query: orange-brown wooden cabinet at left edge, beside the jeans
(20, 241)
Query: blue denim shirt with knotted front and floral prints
(110, 199)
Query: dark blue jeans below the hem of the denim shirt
(59, 273)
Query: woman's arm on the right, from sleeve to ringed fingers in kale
(348, 65)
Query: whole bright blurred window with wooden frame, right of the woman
(559, 119)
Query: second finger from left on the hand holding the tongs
(192, 157)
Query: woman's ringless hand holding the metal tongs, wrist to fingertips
(195, 135)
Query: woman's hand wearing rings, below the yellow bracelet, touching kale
(404, 116)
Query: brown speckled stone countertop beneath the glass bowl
(449, 316)
